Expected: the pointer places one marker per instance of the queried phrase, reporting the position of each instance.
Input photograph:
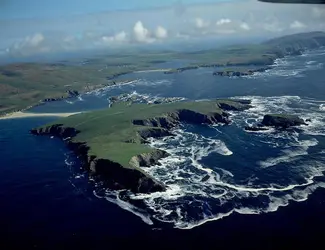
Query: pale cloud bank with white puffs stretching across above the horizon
(180, 21)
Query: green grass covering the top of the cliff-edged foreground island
(106, 131)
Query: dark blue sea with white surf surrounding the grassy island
(226, 187)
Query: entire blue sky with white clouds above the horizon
(45, 26)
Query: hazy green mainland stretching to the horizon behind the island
(23, 85)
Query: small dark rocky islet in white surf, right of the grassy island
(282, 121)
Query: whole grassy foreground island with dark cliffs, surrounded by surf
(112, 142)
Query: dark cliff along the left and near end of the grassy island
(115, 175)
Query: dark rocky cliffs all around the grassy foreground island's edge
(134, 178)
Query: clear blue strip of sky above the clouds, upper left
(12, 9)
